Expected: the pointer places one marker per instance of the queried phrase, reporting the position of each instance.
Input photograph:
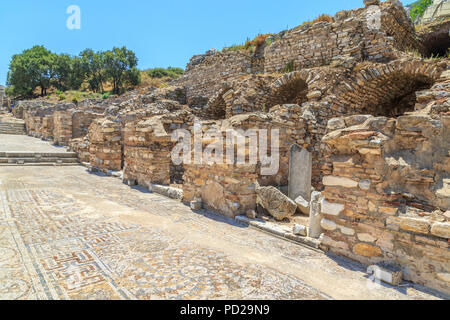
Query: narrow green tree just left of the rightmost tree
(93, 66)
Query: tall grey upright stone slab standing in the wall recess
(300, 172)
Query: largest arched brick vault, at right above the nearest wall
(387, 90)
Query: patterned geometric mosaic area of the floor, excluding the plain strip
(50, 252)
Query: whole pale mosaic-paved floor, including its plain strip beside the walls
(68, 234)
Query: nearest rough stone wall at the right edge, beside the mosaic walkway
(387, 195)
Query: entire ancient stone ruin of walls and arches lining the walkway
(364, 134)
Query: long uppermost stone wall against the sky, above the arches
(377, 33)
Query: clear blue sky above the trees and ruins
(162, 33)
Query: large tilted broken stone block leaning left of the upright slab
(275, 202)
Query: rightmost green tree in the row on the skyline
(120, 68)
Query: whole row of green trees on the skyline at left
(39, 68)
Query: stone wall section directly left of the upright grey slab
(231, 188)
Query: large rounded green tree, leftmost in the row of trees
(29, 70)
